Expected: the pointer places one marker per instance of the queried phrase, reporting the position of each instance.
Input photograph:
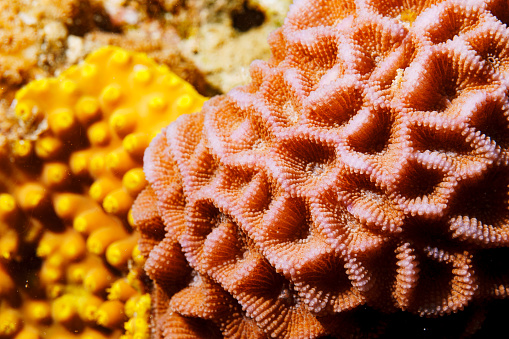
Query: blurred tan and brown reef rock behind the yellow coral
(43, 38)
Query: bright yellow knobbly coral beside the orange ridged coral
(70, 265)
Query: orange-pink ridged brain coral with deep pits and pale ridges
(365, 165)
